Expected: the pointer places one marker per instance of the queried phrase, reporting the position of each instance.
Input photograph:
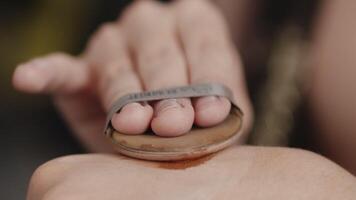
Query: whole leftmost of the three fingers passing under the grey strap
(111, 62)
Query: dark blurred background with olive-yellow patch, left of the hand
(31, 132)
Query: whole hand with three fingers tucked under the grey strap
(152, 46)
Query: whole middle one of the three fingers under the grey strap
(160, 63)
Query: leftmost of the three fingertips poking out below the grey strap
(133, 118)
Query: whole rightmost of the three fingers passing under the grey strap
(211, 57)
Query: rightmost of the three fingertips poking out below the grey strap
(211, 110)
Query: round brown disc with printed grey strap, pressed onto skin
(196, 143)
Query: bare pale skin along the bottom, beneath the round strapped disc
(238, 173)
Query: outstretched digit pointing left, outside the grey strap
(55, 73)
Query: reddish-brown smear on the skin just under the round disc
(184, 164)
